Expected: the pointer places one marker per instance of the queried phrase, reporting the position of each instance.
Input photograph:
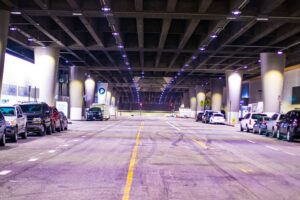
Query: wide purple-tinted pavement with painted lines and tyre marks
(150, 158)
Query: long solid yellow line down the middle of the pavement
(131, 165)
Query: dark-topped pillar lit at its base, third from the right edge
(216, 94)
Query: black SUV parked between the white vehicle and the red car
(38, 117)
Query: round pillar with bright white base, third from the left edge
(76, 93)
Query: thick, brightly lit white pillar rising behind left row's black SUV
(46, 65)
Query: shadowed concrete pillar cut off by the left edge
(4, 16)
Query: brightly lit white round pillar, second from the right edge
(234, 87)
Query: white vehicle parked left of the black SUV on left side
(16, 122)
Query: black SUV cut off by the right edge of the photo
(289, 127)
